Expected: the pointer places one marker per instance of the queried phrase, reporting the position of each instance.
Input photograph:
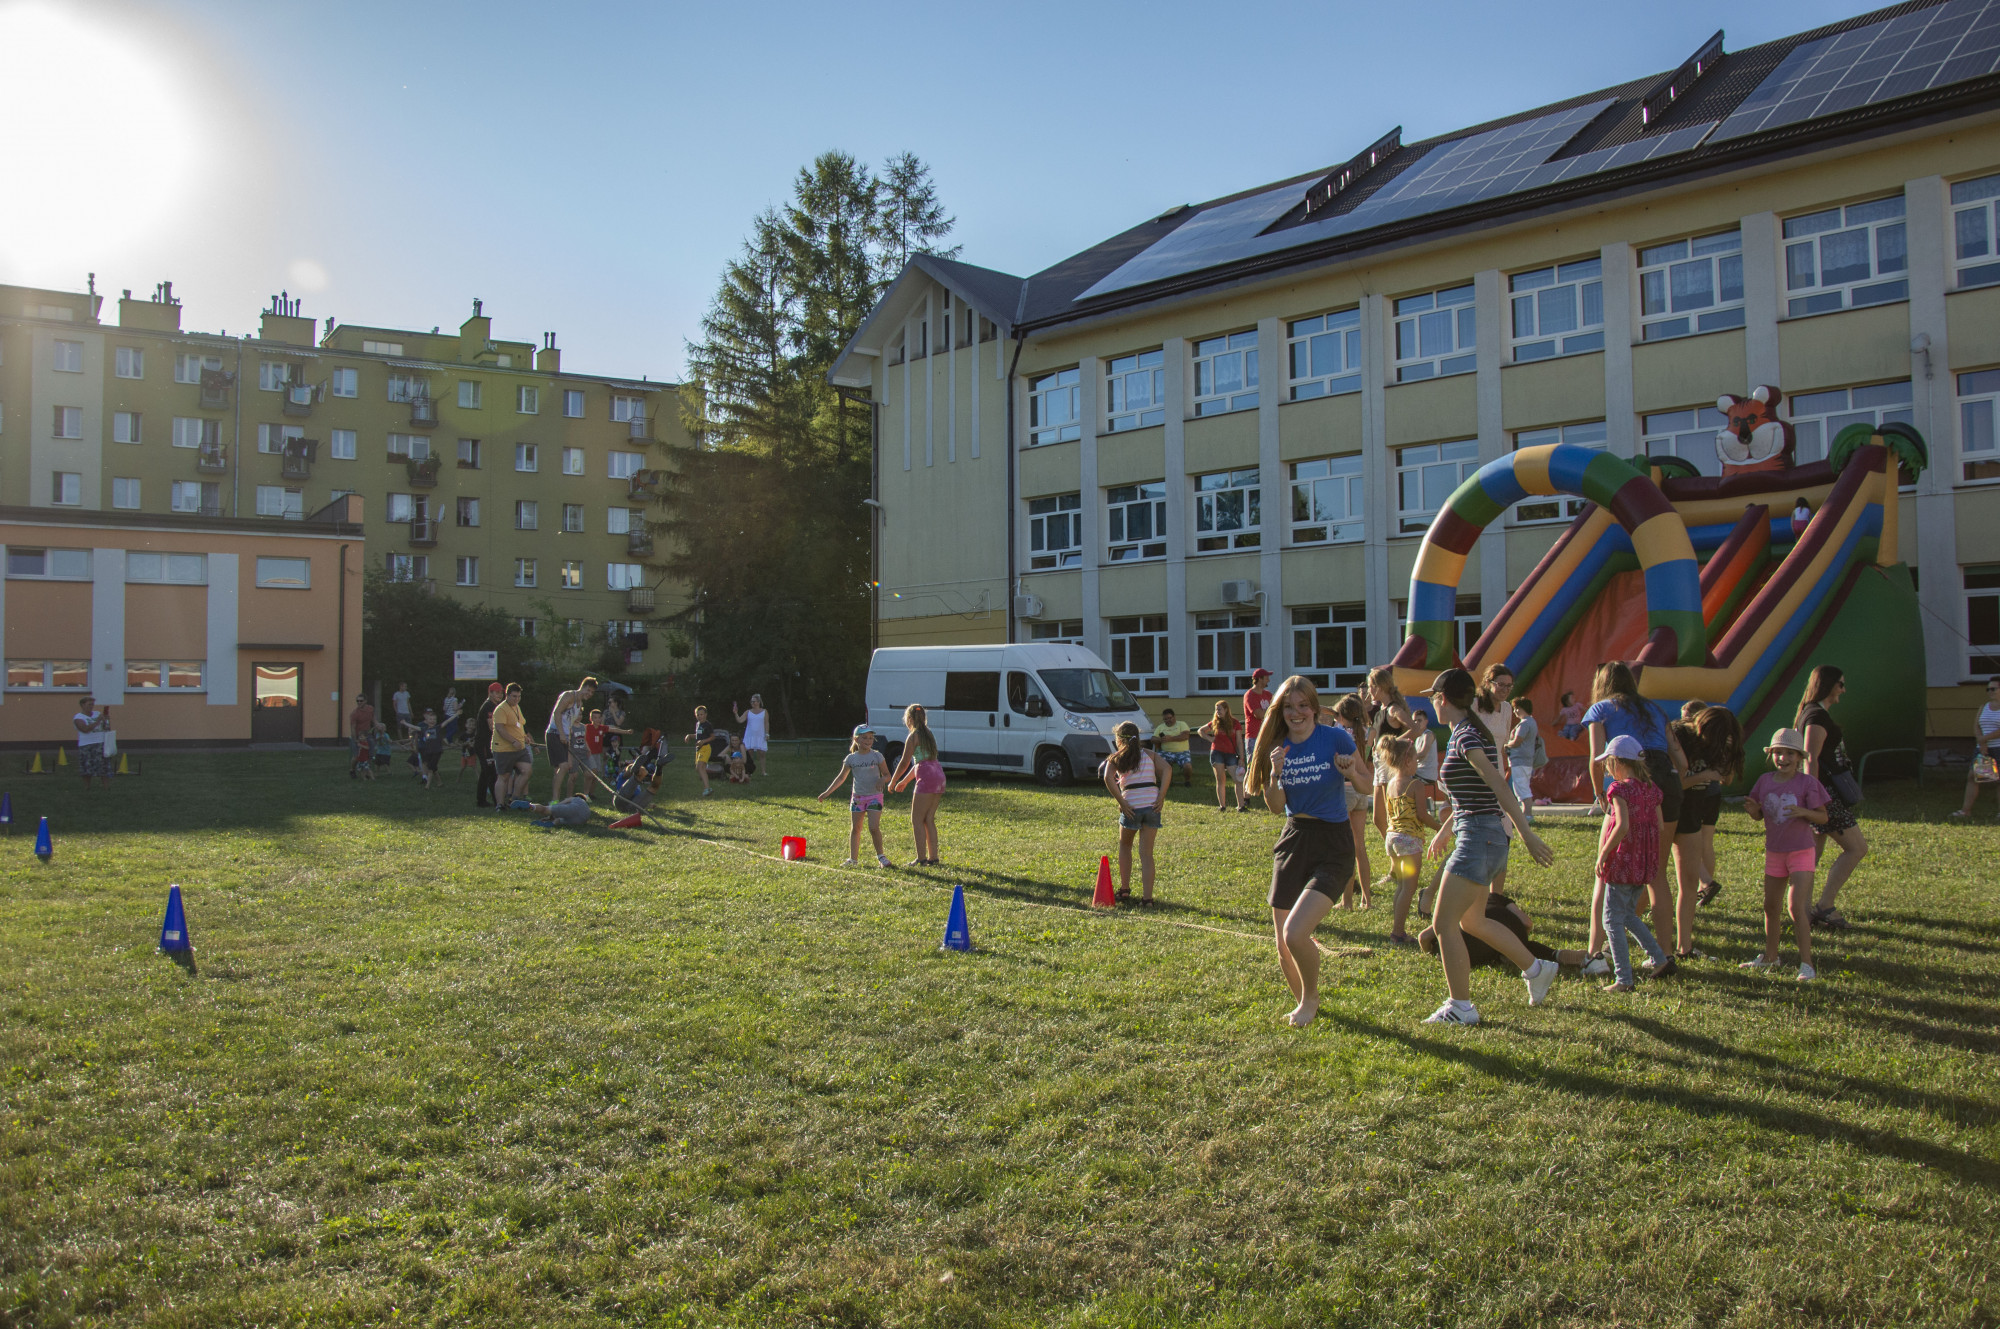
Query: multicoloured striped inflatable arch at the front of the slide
(1659, 539)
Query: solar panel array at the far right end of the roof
(1897, 57)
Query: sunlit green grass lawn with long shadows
(441, 1068)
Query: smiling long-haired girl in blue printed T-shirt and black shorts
(1301, 768)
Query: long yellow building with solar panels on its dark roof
(1217, 439)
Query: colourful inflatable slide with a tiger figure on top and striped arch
(1725, 589)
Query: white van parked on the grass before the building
(1033, 708)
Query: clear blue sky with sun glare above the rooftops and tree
(587, 169)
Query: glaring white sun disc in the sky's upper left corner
(97, 143)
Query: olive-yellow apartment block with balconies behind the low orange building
(489, 469)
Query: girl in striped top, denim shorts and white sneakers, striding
(1481, 800)
